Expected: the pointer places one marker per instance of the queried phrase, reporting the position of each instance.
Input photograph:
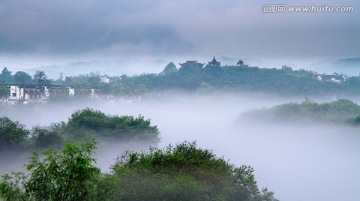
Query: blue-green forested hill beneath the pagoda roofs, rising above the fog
(284, 81)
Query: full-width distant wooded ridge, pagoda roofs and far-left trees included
(202, 78)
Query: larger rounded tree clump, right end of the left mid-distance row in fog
(89, 122)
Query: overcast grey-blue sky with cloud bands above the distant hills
(42, 32)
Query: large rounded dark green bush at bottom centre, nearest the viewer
(183, 172)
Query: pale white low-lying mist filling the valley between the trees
(297, 162)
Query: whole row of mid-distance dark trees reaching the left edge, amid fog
(82, 124)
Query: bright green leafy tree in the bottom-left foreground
(62, 175)
